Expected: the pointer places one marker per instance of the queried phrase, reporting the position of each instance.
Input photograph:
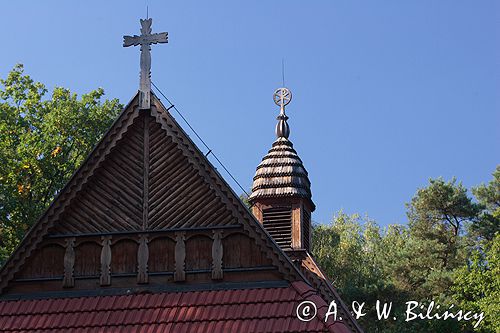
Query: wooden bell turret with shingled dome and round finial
(281, 190)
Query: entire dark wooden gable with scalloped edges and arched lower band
(145, 210)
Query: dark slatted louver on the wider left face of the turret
(278, 222)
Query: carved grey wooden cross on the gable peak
(145, 40)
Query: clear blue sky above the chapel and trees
(386, 94)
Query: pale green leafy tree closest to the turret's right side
(350, 251)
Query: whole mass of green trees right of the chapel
(430, 258)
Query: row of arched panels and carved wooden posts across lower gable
(144, 254)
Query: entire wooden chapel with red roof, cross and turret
(147, 236)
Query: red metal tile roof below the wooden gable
(243, 310)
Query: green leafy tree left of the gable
(43, 140)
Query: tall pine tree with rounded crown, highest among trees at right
(435, 246)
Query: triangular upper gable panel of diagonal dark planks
(145, 166)
